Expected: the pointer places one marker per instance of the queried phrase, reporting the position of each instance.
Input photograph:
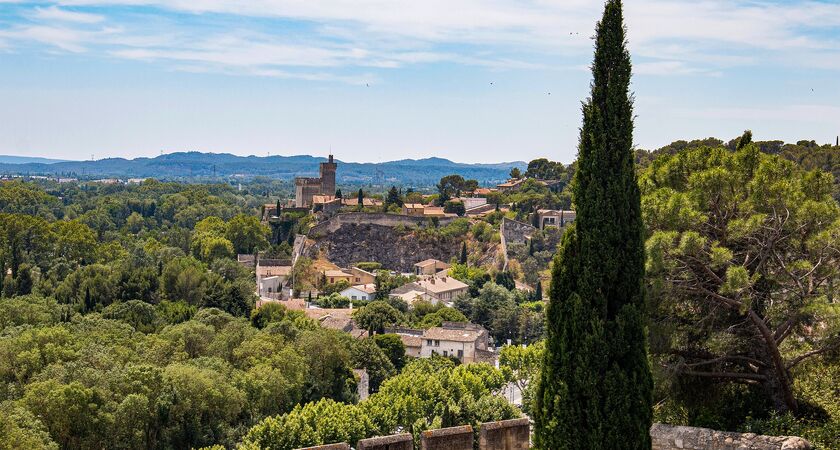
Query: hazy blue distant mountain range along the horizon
(196, 165)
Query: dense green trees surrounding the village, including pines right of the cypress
(126, 321)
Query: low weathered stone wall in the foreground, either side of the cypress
(516, 435)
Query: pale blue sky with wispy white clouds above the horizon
(379, 80)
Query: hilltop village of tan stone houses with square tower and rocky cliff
(414, 252)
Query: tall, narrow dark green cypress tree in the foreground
(595, 386)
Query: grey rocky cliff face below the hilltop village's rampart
(396, 248)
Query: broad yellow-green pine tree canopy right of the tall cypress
(742, 256)
